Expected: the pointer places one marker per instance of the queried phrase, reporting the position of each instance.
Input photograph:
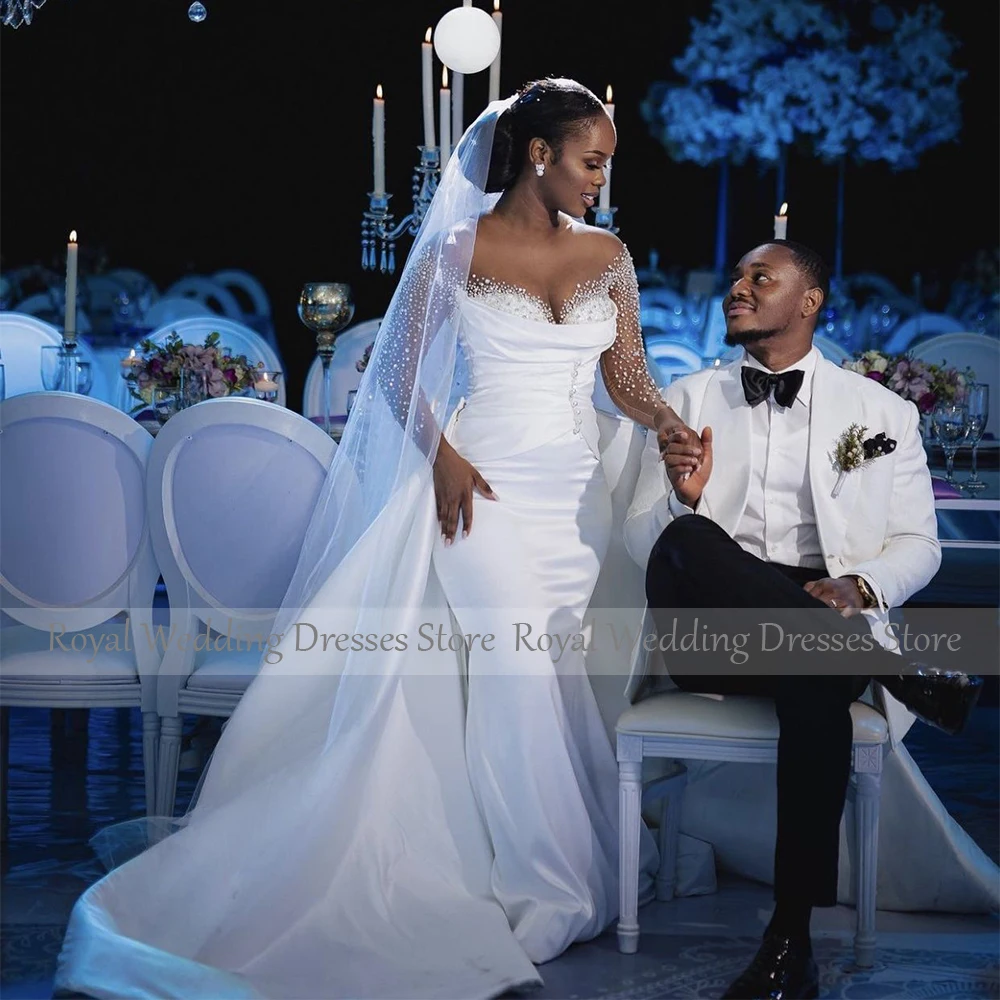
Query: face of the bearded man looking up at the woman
(765, 295)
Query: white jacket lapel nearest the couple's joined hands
(727, 412)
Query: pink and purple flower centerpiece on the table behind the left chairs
(173, 364)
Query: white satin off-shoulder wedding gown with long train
(462, 826)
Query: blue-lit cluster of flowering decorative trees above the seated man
(761, 75)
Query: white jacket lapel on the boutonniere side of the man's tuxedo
(835, 405)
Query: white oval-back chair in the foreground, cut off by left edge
(75, 553)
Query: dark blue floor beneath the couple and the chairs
(66, 783)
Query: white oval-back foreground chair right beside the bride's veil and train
(231, 487)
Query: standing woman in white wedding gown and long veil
(426, 818)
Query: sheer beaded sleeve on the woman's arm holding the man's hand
(623, 364)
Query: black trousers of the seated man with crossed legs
(696, 565)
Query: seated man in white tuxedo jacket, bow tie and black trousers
(759, 514)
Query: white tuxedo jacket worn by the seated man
(881, 525)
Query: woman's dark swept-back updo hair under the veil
(552, 109)
